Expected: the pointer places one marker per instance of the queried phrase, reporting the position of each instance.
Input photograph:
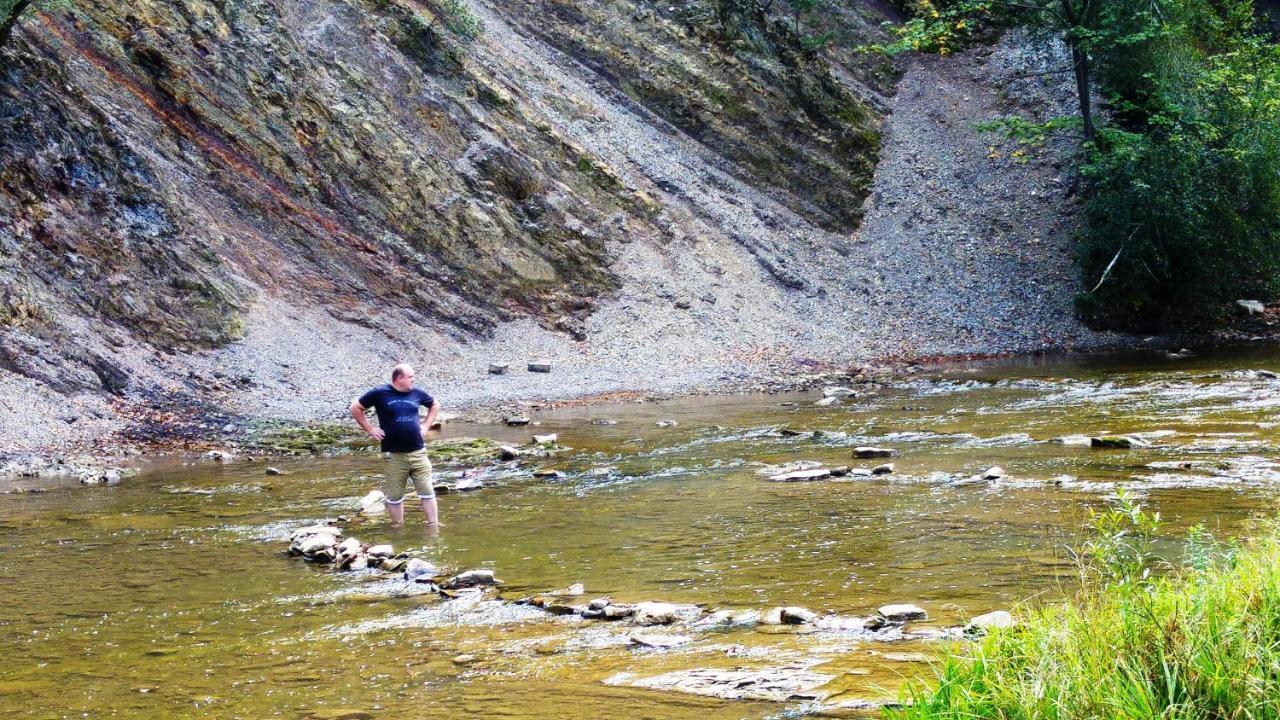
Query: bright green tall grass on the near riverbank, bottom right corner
(1203, 642)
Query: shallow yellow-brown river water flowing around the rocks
(171, 595)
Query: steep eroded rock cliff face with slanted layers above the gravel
(171, 165)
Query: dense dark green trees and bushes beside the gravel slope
(1183, 213)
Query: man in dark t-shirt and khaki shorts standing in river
(401, 432)
